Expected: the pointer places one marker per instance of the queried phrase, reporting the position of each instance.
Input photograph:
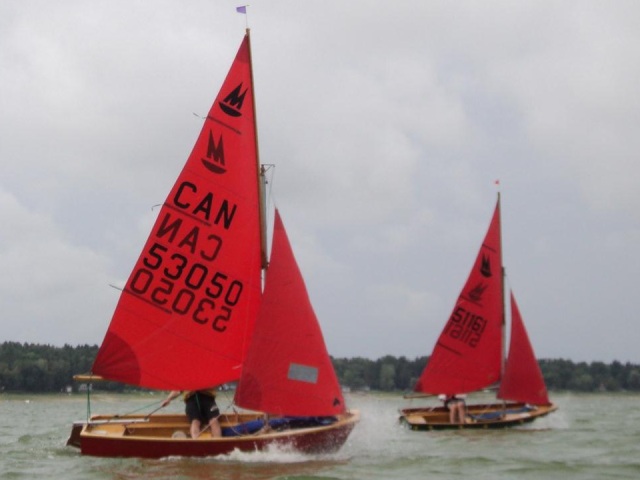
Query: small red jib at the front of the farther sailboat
(522, 380)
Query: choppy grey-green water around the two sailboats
(594, 436)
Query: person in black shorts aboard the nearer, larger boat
(201, 408)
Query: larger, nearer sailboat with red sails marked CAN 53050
(193, 314)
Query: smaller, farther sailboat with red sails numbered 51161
(469, 354)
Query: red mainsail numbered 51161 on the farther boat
(467, 355)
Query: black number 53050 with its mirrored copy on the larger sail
(218, 291)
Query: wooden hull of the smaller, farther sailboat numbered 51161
(483, 416)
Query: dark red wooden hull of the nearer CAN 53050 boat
(167, 435)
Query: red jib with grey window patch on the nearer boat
(288, 370)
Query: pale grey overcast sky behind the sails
(388, 123)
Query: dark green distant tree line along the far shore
(28, 367)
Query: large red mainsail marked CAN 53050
(189, 306)
